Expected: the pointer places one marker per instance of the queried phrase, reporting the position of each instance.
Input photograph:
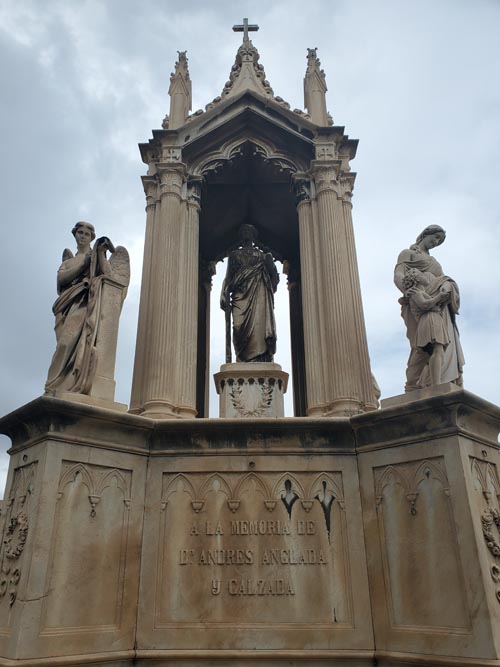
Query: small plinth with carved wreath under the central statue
(251, 390)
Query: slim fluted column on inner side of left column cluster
(188, 304)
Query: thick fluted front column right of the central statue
(346, 371)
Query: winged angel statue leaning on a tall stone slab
(80, 307)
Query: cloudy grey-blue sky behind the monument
(417, 82)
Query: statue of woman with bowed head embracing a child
(429, 307)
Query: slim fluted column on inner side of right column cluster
(313, 349)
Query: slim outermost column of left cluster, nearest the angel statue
(151, 190)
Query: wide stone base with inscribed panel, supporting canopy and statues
(371, 540)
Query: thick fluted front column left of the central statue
(161, 337)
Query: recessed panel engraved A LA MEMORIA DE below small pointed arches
(269, 536)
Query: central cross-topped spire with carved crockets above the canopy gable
(247, 73)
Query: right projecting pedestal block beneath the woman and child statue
(430, 488)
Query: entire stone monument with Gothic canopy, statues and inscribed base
(345, 535)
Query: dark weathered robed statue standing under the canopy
(248, 295)
